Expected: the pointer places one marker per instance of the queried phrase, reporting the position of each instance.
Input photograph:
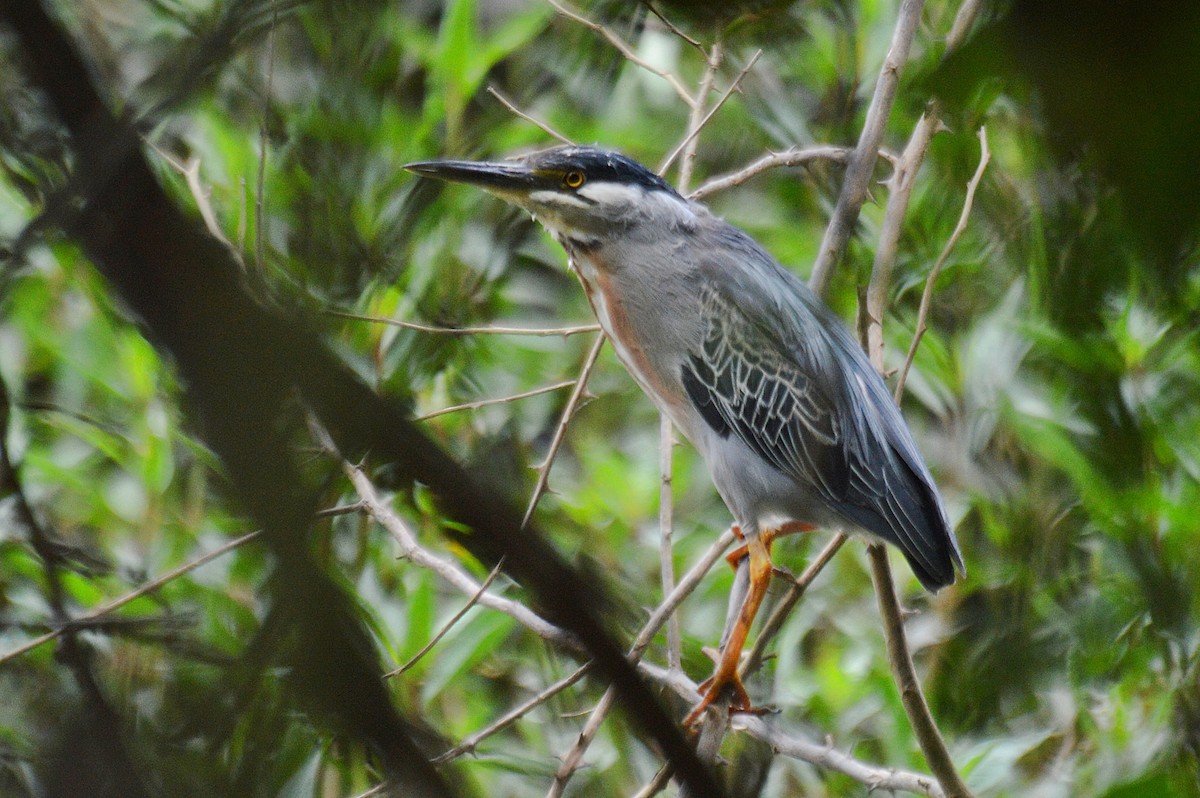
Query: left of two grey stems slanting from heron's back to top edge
(856, 184)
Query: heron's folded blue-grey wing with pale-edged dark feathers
(775, 383)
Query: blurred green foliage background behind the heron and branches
(1054, 397)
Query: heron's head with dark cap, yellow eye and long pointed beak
(584, 195)
